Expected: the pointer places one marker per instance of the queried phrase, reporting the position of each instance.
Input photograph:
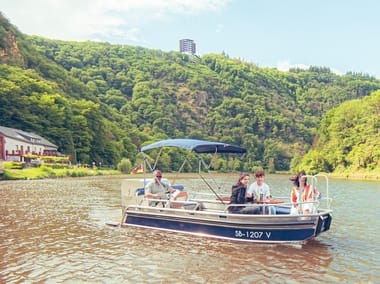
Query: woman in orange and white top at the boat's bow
(303, 192)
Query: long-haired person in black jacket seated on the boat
(239, 196)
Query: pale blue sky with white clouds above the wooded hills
(343, 35)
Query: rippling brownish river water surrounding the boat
(53, 231)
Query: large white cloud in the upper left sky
(102, 19)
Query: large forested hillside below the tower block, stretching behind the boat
(101, 102)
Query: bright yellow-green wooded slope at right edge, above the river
(349, 139)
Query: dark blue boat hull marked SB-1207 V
(271, 232)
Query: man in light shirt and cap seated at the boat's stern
(157, 189)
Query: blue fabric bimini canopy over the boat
(198, 146)
